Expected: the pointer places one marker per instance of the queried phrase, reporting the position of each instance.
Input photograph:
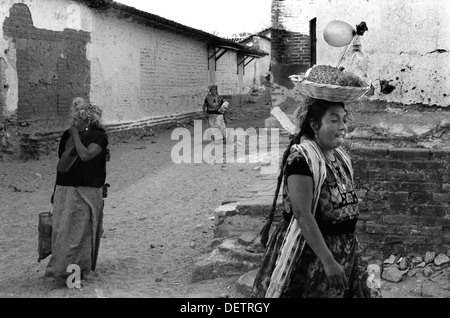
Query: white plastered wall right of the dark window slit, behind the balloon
(407, 44)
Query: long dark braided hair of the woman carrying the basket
(315, 110)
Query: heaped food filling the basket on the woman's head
(326, 74)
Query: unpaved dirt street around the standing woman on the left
(157, 220)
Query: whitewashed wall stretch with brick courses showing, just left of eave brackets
(180, 65)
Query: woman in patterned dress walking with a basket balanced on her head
(313, 252)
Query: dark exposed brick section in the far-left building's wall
(51, 66)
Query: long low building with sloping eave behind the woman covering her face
(141, 69)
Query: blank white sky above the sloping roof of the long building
(222, 17)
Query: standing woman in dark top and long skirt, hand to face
(78, 197)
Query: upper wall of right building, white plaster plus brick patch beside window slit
(407, 45)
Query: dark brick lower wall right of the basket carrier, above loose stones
(404, 198)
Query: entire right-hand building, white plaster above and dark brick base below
(400, 140)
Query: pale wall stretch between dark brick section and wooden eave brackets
(140, 72)
